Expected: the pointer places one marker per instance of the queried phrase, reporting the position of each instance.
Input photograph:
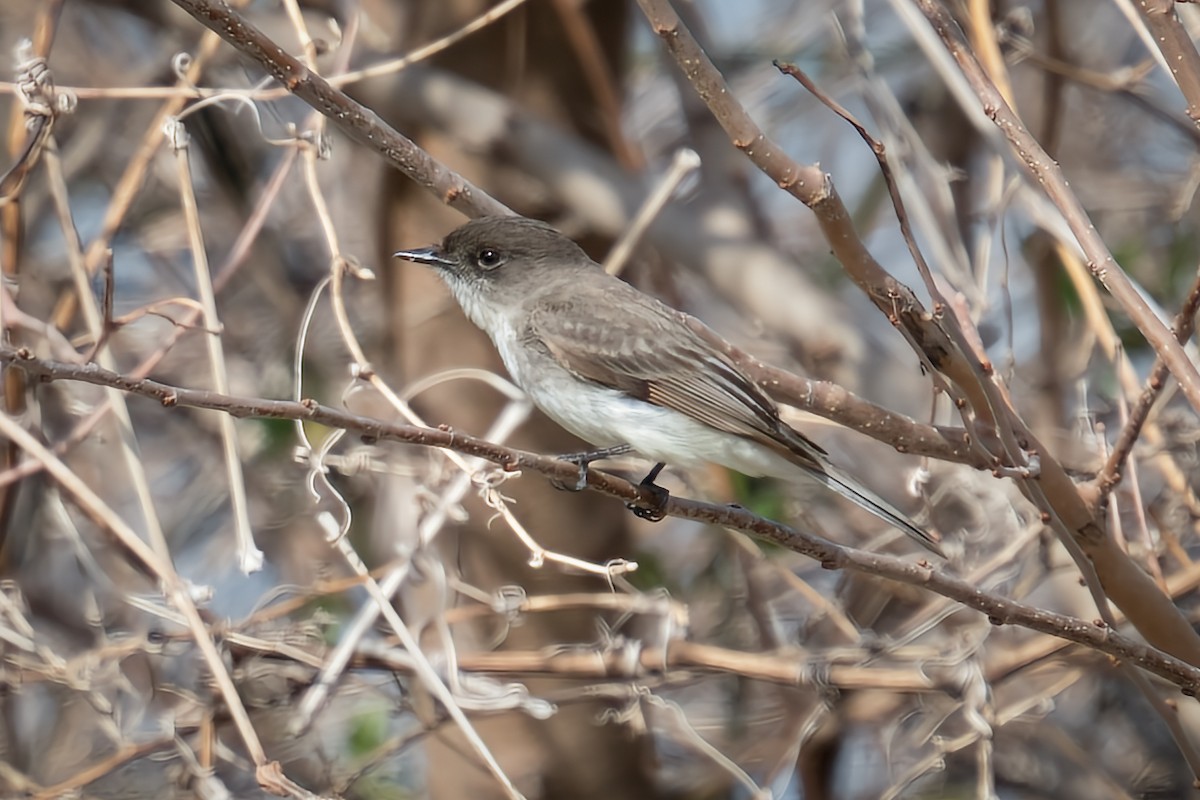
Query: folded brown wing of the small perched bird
(663, 362)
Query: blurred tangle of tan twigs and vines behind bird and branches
(719, 669)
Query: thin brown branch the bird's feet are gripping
(1001, 611)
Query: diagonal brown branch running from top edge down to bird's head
(352, 118)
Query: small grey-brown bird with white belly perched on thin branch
(621, 370)
